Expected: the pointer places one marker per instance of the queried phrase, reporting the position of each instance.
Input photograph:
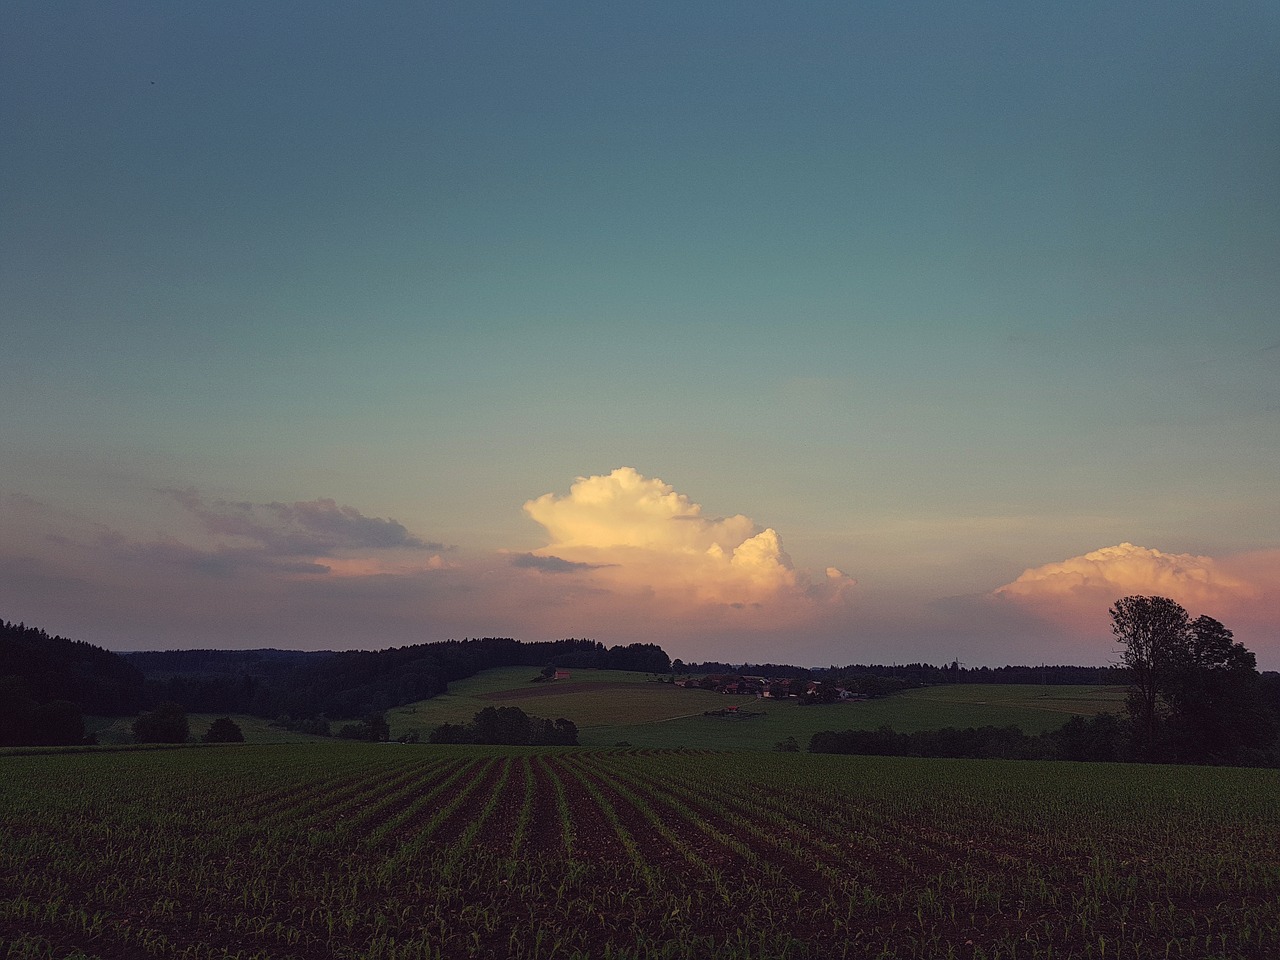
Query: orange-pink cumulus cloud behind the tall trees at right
(1241, 591)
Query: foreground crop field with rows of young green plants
(348, 851)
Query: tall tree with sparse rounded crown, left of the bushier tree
(1156, 634)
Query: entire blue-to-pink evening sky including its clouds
(808, 333)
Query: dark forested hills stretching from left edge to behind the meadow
(49, 684)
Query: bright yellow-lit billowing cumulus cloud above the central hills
(638, 536)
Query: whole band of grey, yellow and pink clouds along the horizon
(627, 559)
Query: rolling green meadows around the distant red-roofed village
(612, 707)
